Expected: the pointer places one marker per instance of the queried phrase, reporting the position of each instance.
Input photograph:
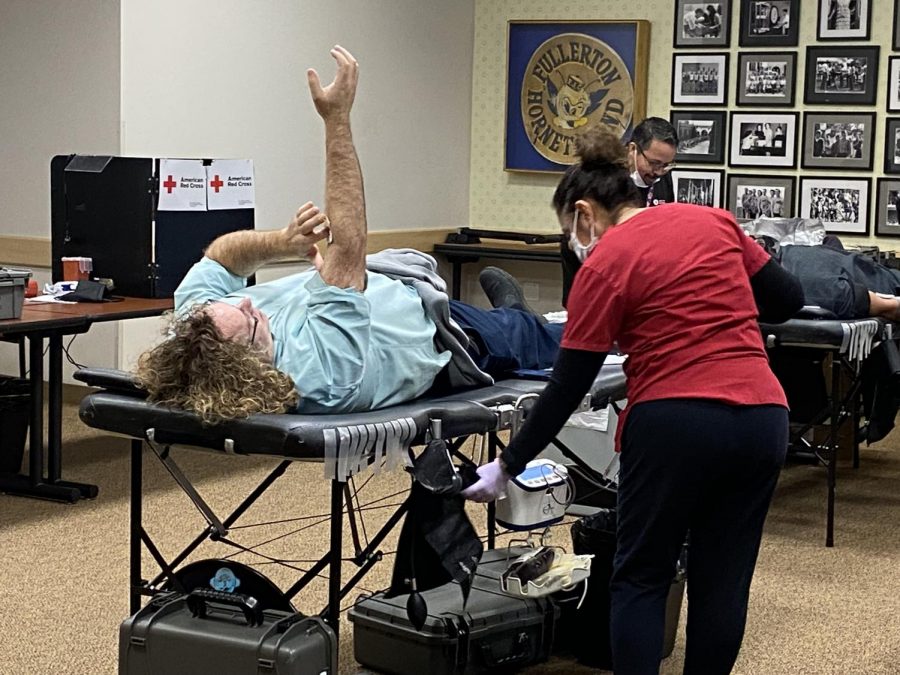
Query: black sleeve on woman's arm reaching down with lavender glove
(573, 374)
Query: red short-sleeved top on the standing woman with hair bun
(671, 285)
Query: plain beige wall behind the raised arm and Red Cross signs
(226, 78)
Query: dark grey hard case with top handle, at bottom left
(214, 632)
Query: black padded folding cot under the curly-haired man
(345, 444)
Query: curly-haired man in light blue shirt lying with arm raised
(340, 338)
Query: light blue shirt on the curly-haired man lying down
(346, 351)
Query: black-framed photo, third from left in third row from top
(837, 141)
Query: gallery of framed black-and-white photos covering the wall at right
(786, 110)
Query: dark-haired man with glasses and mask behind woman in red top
(651, 158)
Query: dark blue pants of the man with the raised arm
(507, 339)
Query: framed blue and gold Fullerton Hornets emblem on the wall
(566, 77)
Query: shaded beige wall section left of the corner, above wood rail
(59, 93)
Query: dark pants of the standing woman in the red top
(709, 468)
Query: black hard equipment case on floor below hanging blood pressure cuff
(493, 632)
